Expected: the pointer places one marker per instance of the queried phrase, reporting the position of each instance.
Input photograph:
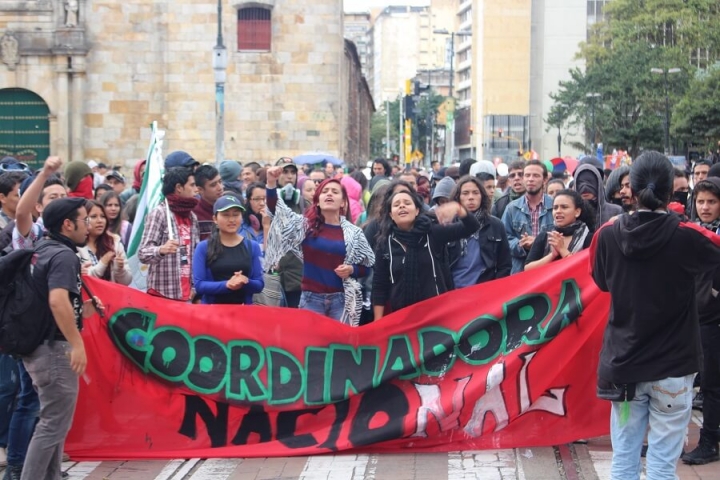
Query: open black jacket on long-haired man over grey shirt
(494, 249)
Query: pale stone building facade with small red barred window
(107, 68)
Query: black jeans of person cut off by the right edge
(710, 335)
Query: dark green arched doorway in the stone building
(24, 126)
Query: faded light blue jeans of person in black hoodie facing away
(666, 406)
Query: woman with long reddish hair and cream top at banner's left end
(103, 256)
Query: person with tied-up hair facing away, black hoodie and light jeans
(649, 262)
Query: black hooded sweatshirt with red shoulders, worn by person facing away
(648, 262)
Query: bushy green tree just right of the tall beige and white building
(630, 109)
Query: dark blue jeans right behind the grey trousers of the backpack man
(24, 419)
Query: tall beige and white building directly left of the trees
(523, 49)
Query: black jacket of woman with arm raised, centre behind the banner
(434, 267)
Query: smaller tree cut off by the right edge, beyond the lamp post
(696, 118)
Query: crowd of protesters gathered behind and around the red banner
(355, 248)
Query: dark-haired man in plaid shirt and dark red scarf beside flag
(170, 237)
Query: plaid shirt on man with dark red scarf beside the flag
(164, 271)
